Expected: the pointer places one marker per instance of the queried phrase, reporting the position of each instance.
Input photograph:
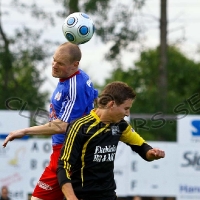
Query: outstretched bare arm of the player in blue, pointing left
(54, 127)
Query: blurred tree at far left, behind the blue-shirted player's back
(22, 63)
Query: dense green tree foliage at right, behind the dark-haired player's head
(183, 91)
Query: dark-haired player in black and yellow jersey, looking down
(86, 163)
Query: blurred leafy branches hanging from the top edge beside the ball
(114, 21)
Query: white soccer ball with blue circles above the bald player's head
(78, 28)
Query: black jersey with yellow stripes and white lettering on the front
(88, 153)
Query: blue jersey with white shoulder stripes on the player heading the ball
(72, 98)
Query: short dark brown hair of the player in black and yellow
(116, 91)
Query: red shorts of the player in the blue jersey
(47, 187)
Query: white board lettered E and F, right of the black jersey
(147, 178)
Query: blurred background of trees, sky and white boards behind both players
(152, 45)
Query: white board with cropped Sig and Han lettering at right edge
(188, 172)
